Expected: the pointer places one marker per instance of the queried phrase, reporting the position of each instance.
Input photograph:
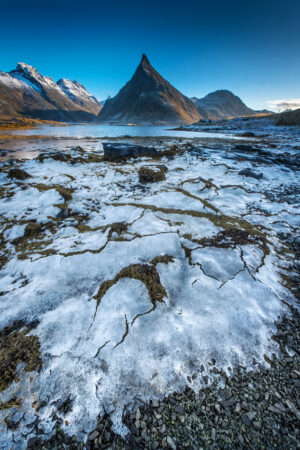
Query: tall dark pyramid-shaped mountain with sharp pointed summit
(148, 99)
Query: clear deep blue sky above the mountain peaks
(249, 47)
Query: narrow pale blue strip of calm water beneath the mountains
(100, 131)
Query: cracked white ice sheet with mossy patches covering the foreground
(132, 289)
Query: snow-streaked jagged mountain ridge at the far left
(25, 92)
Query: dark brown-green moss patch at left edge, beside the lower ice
(16, 347)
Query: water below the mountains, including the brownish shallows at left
(28, 145)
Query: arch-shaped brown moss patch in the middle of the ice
(143, 272)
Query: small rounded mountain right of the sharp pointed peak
(222, 104)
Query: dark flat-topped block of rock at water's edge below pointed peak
(115, 151)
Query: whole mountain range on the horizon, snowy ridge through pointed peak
(146, 99)
